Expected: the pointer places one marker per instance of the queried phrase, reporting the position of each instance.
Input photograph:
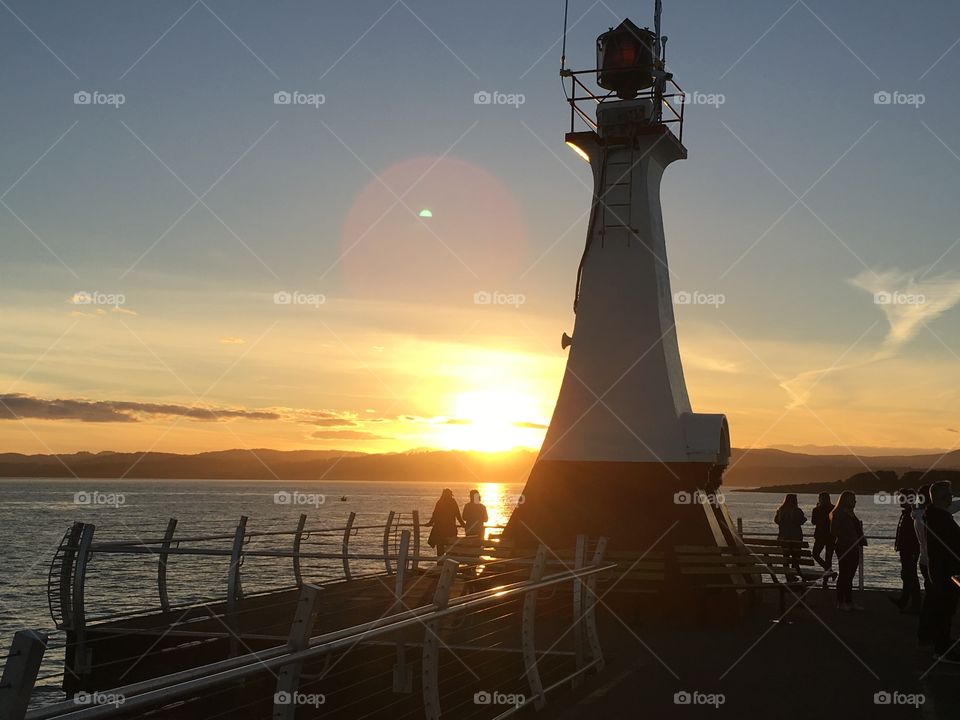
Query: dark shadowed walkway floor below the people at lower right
(823, 663)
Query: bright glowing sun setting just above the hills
(492, 420)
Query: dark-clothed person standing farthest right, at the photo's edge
(943, 551)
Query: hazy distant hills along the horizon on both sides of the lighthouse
(748, 468)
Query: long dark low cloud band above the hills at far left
(16, 406)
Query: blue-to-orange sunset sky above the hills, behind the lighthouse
(200, 268)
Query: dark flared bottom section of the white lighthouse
(639, 506)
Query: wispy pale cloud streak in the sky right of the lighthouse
(908, 300)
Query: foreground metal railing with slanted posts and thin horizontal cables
(511, 601)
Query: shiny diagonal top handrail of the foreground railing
(178, 685)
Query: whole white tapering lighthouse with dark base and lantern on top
(625, 456)
